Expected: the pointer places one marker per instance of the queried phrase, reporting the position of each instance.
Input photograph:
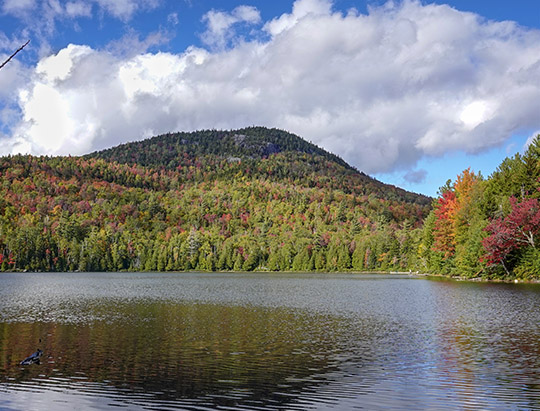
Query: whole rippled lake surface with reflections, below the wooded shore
(267, 341)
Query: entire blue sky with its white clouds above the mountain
(410, 92)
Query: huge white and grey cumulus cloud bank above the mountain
(382, 90)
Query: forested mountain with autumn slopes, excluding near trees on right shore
(250, 199)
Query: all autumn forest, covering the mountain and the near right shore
(260, 199)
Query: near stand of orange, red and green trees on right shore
(487, 227)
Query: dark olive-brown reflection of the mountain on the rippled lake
(218, 354)
